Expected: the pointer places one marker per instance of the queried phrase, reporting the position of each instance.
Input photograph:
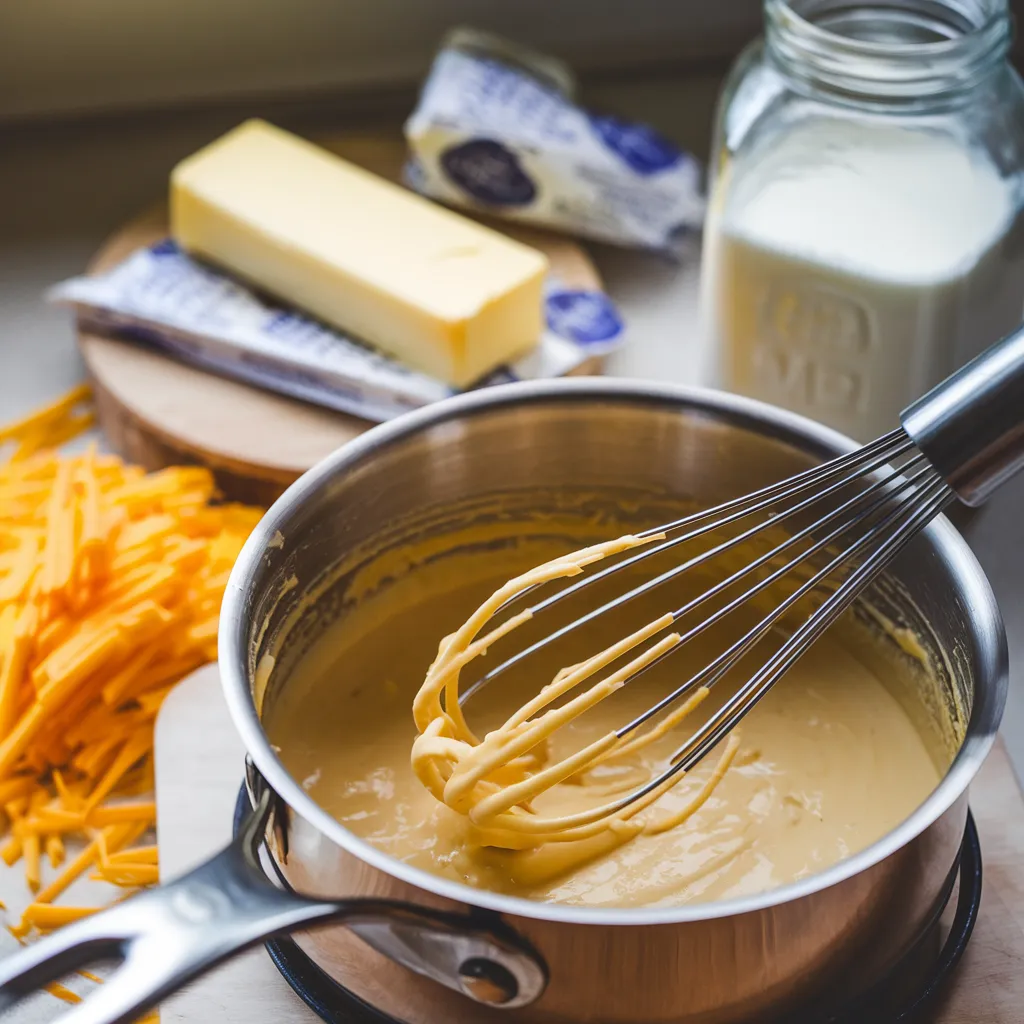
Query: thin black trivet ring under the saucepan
(336, 1005)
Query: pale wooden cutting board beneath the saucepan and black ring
(199, 772)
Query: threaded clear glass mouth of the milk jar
(886, 52)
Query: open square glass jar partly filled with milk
(865, 233)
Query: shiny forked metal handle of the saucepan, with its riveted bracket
(168, 936)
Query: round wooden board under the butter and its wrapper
(157, 412)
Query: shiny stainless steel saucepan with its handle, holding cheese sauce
(423, 949)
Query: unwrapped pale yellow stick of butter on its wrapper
(442, 293)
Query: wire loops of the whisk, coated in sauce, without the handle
(833, 551)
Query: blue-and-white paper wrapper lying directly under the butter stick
(163, 298)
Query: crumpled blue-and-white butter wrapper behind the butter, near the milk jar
(497, 133)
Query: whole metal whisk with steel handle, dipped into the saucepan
(852, 517)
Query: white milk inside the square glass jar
(854, 267)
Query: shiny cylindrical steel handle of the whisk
(971, 426)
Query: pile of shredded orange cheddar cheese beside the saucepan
(111, 583)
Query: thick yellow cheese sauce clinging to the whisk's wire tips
(494, 781)
